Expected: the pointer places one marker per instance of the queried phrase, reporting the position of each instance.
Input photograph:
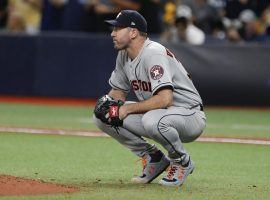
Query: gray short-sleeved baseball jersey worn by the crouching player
(154, 68)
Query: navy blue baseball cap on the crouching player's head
(129, 18)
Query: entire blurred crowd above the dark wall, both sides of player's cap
(190, 21)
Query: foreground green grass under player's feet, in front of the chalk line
(224, 171)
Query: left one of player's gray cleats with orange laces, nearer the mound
(153, 166)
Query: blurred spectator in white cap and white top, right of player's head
(184, 30)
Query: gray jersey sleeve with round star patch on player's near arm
(159, 72)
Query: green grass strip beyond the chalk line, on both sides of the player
(220, 122)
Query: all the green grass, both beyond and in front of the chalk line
(101, 168)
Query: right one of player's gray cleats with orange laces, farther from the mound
(177, 174)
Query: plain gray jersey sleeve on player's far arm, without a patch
(118, 79)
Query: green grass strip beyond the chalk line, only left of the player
(37, 116)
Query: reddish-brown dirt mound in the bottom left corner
(10, 185)
